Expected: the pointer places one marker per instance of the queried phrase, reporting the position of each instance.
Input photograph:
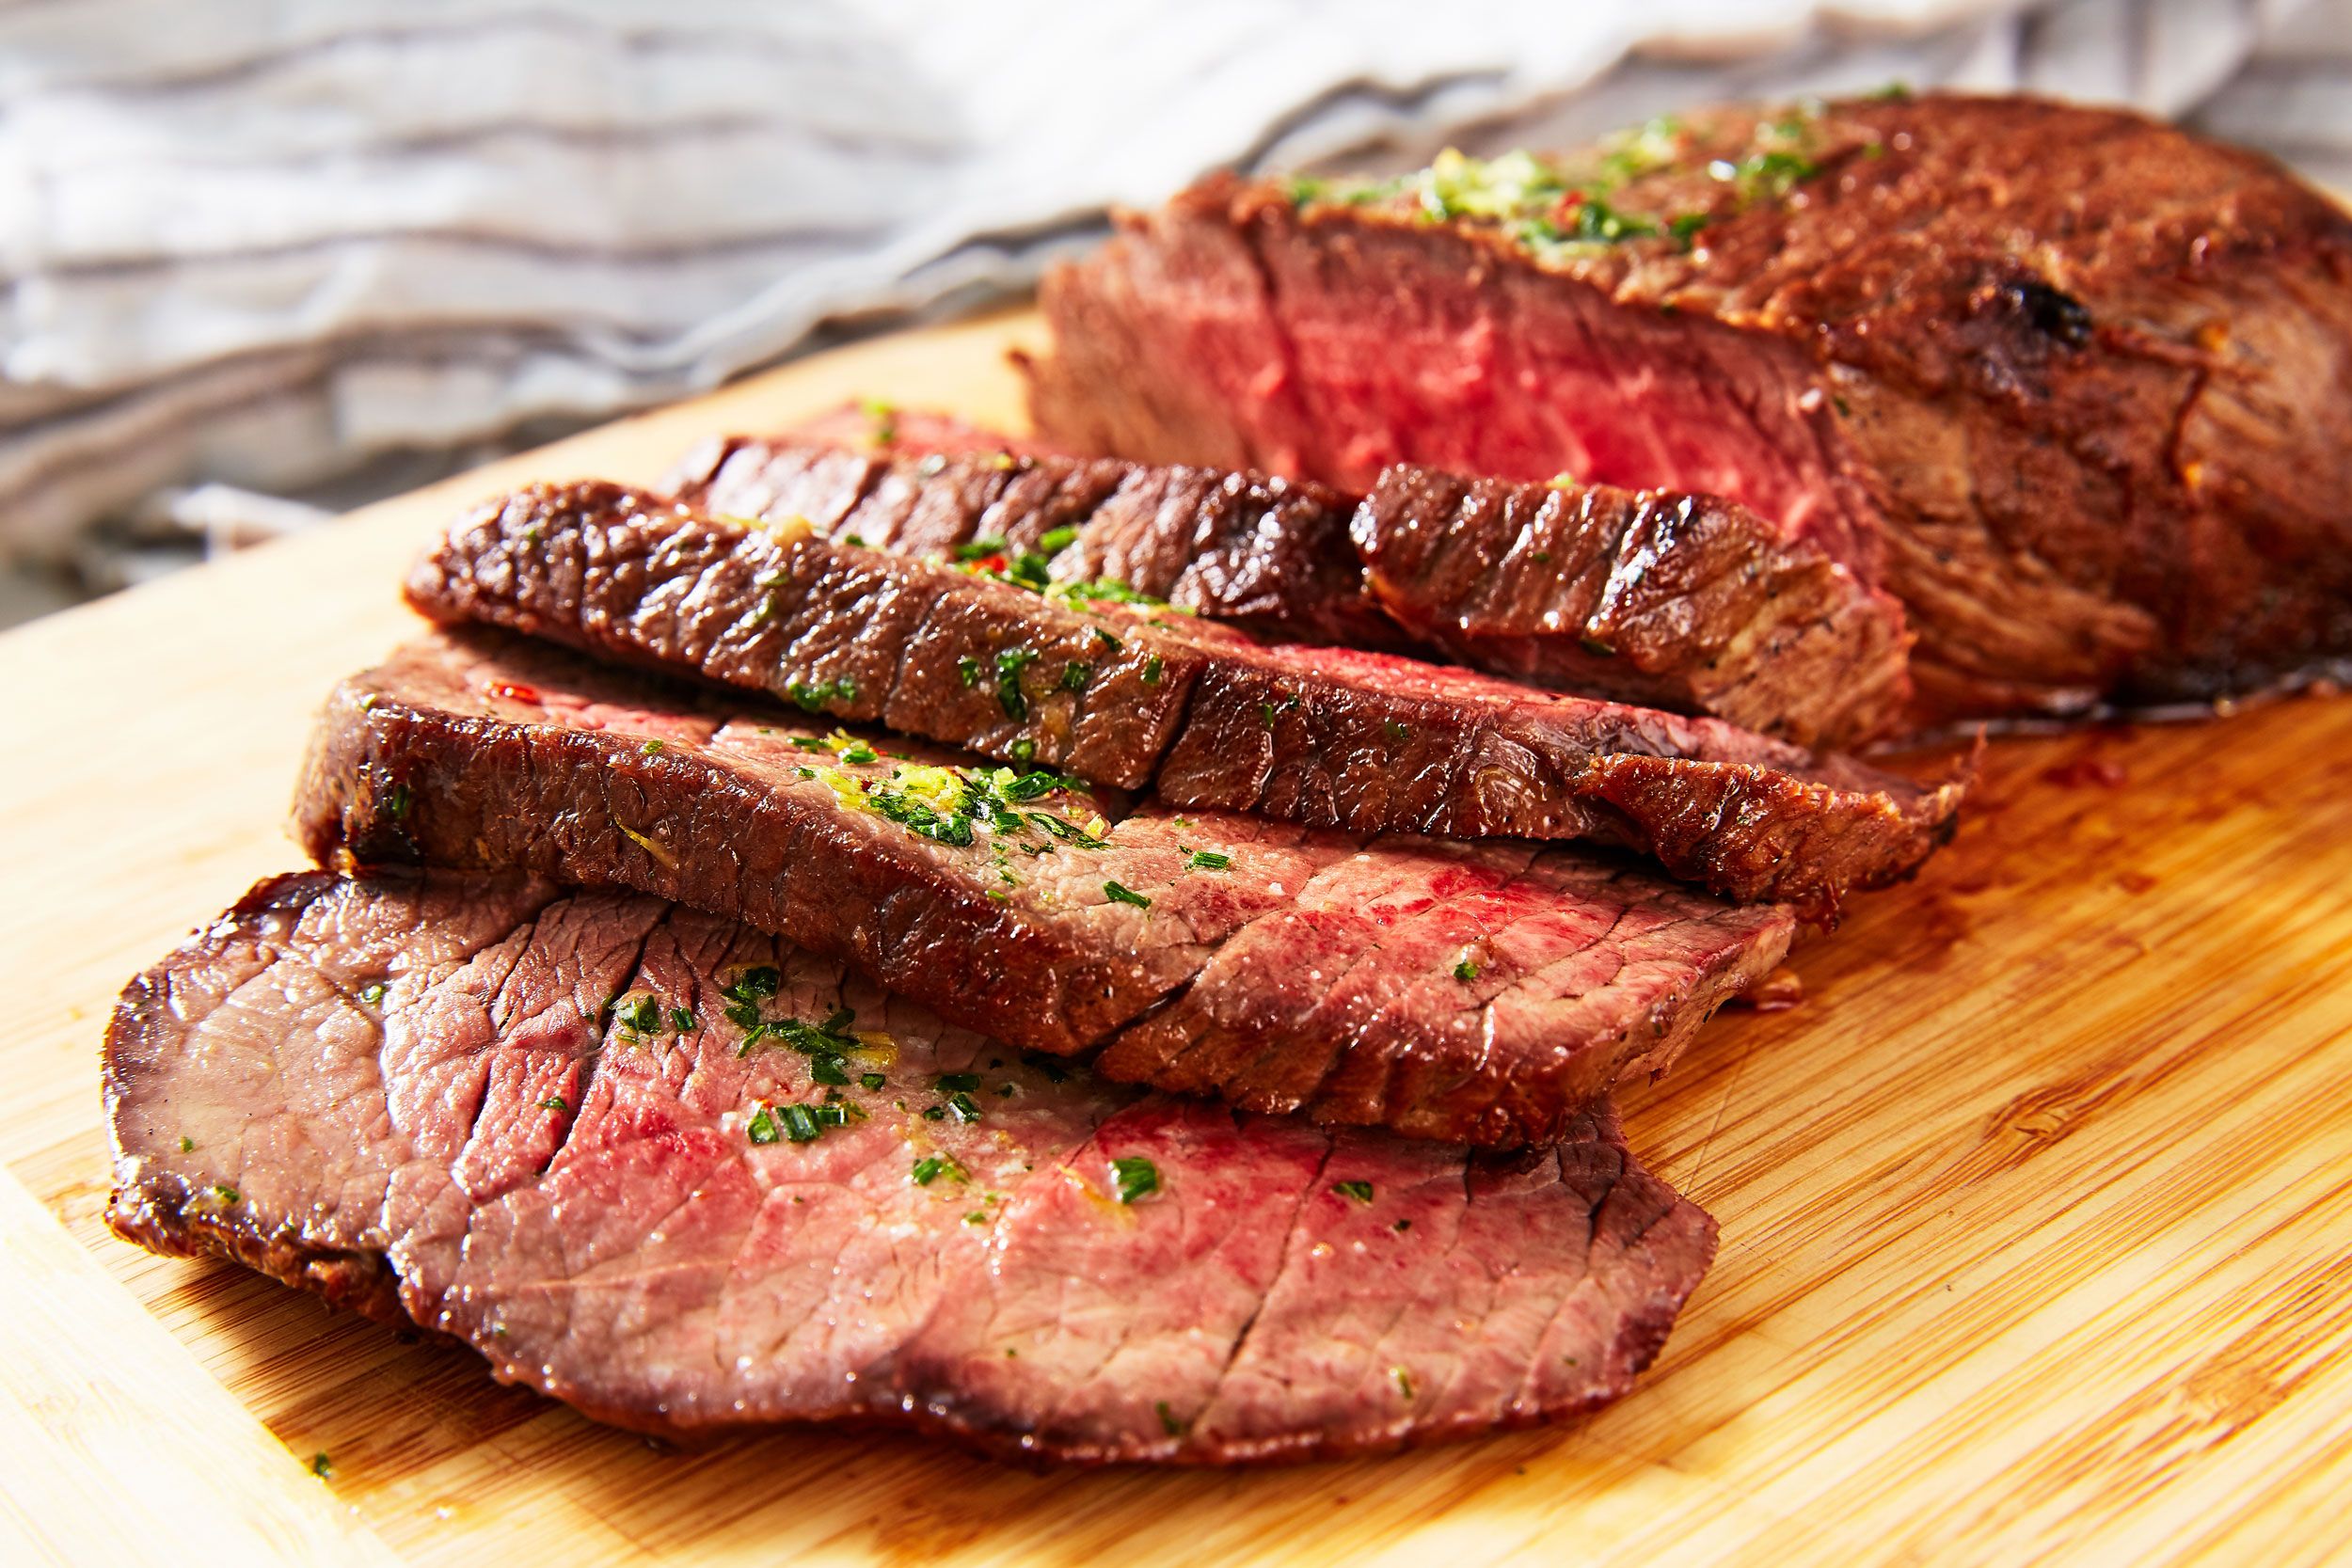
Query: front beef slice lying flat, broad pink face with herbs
(690, 1179)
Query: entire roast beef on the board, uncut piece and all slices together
(1118, 960)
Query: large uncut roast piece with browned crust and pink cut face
(2073, 384)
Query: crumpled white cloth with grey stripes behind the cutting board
(279, 246)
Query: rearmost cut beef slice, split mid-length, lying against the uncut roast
(1683, 603)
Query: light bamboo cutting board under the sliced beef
(2038, 1212)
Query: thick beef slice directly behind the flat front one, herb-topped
(1476, 993)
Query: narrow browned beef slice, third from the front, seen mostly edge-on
(1128, 695)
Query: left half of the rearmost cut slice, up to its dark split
(1267, 556)
